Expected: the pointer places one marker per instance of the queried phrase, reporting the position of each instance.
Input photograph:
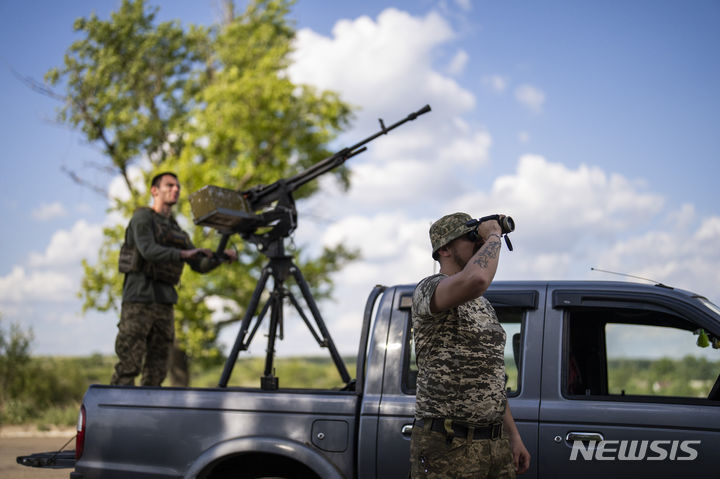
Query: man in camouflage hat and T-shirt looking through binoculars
(463, 425)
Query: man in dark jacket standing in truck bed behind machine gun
(152, 259)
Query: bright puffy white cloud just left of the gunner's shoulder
(69, 247)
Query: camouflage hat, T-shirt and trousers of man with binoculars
(461, 378)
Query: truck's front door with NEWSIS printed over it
(627, 390)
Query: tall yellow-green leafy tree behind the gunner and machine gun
(214, 105)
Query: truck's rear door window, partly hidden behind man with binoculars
(511, 320)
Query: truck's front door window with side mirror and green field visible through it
(638, 355)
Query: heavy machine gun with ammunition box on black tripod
(266, 215)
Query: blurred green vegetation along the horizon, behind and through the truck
(48, 390)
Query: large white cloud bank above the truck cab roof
(571, 219)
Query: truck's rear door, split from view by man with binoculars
(518, 313)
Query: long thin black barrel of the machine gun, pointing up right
(264, 195)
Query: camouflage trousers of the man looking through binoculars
(433, 457)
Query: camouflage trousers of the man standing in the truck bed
(145, 336)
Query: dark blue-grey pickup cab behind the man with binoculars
(589, 383)
